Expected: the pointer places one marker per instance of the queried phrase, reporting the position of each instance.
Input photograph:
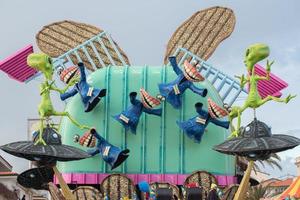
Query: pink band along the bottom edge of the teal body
(177, 179)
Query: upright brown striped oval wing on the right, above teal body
(192, 35)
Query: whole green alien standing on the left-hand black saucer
(42, 62)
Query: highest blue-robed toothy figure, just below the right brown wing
(172, 91)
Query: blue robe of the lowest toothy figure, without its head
(111, 154)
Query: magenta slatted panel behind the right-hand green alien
(271, 87)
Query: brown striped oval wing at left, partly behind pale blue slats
(57, 38)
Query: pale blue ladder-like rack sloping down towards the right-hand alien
(228, 88)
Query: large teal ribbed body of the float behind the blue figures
(159, 146)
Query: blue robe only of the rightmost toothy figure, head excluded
(195, 127)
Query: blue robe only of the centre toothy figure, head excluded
(130, 117)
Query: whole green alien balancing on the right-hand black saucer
(254, 54)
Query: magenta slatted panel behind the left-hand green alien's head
(15, 66)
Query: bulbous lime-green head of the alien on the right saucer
(254, 54)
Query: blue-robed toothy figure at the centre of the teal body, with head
(130, 117)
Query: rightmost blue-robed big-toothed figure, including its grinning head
(195, 127)
